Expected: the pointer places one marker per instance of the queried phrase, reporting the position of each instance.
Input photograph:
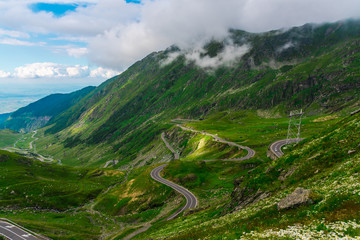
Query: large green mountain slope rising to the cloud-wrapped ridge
(312, 67)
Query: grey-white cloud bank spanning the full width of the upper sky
(117, 33)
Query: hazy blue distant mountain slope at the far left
(37, 114)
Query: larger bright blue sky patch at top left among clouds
(58, 9)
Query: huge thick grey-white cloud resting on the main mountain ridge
(189, 23)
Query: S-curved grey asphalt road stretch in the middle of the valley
(191, 200)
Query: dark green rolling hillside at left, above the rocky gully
(48, 186)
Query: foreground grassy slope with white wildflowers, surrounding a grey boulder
(327, 164)
